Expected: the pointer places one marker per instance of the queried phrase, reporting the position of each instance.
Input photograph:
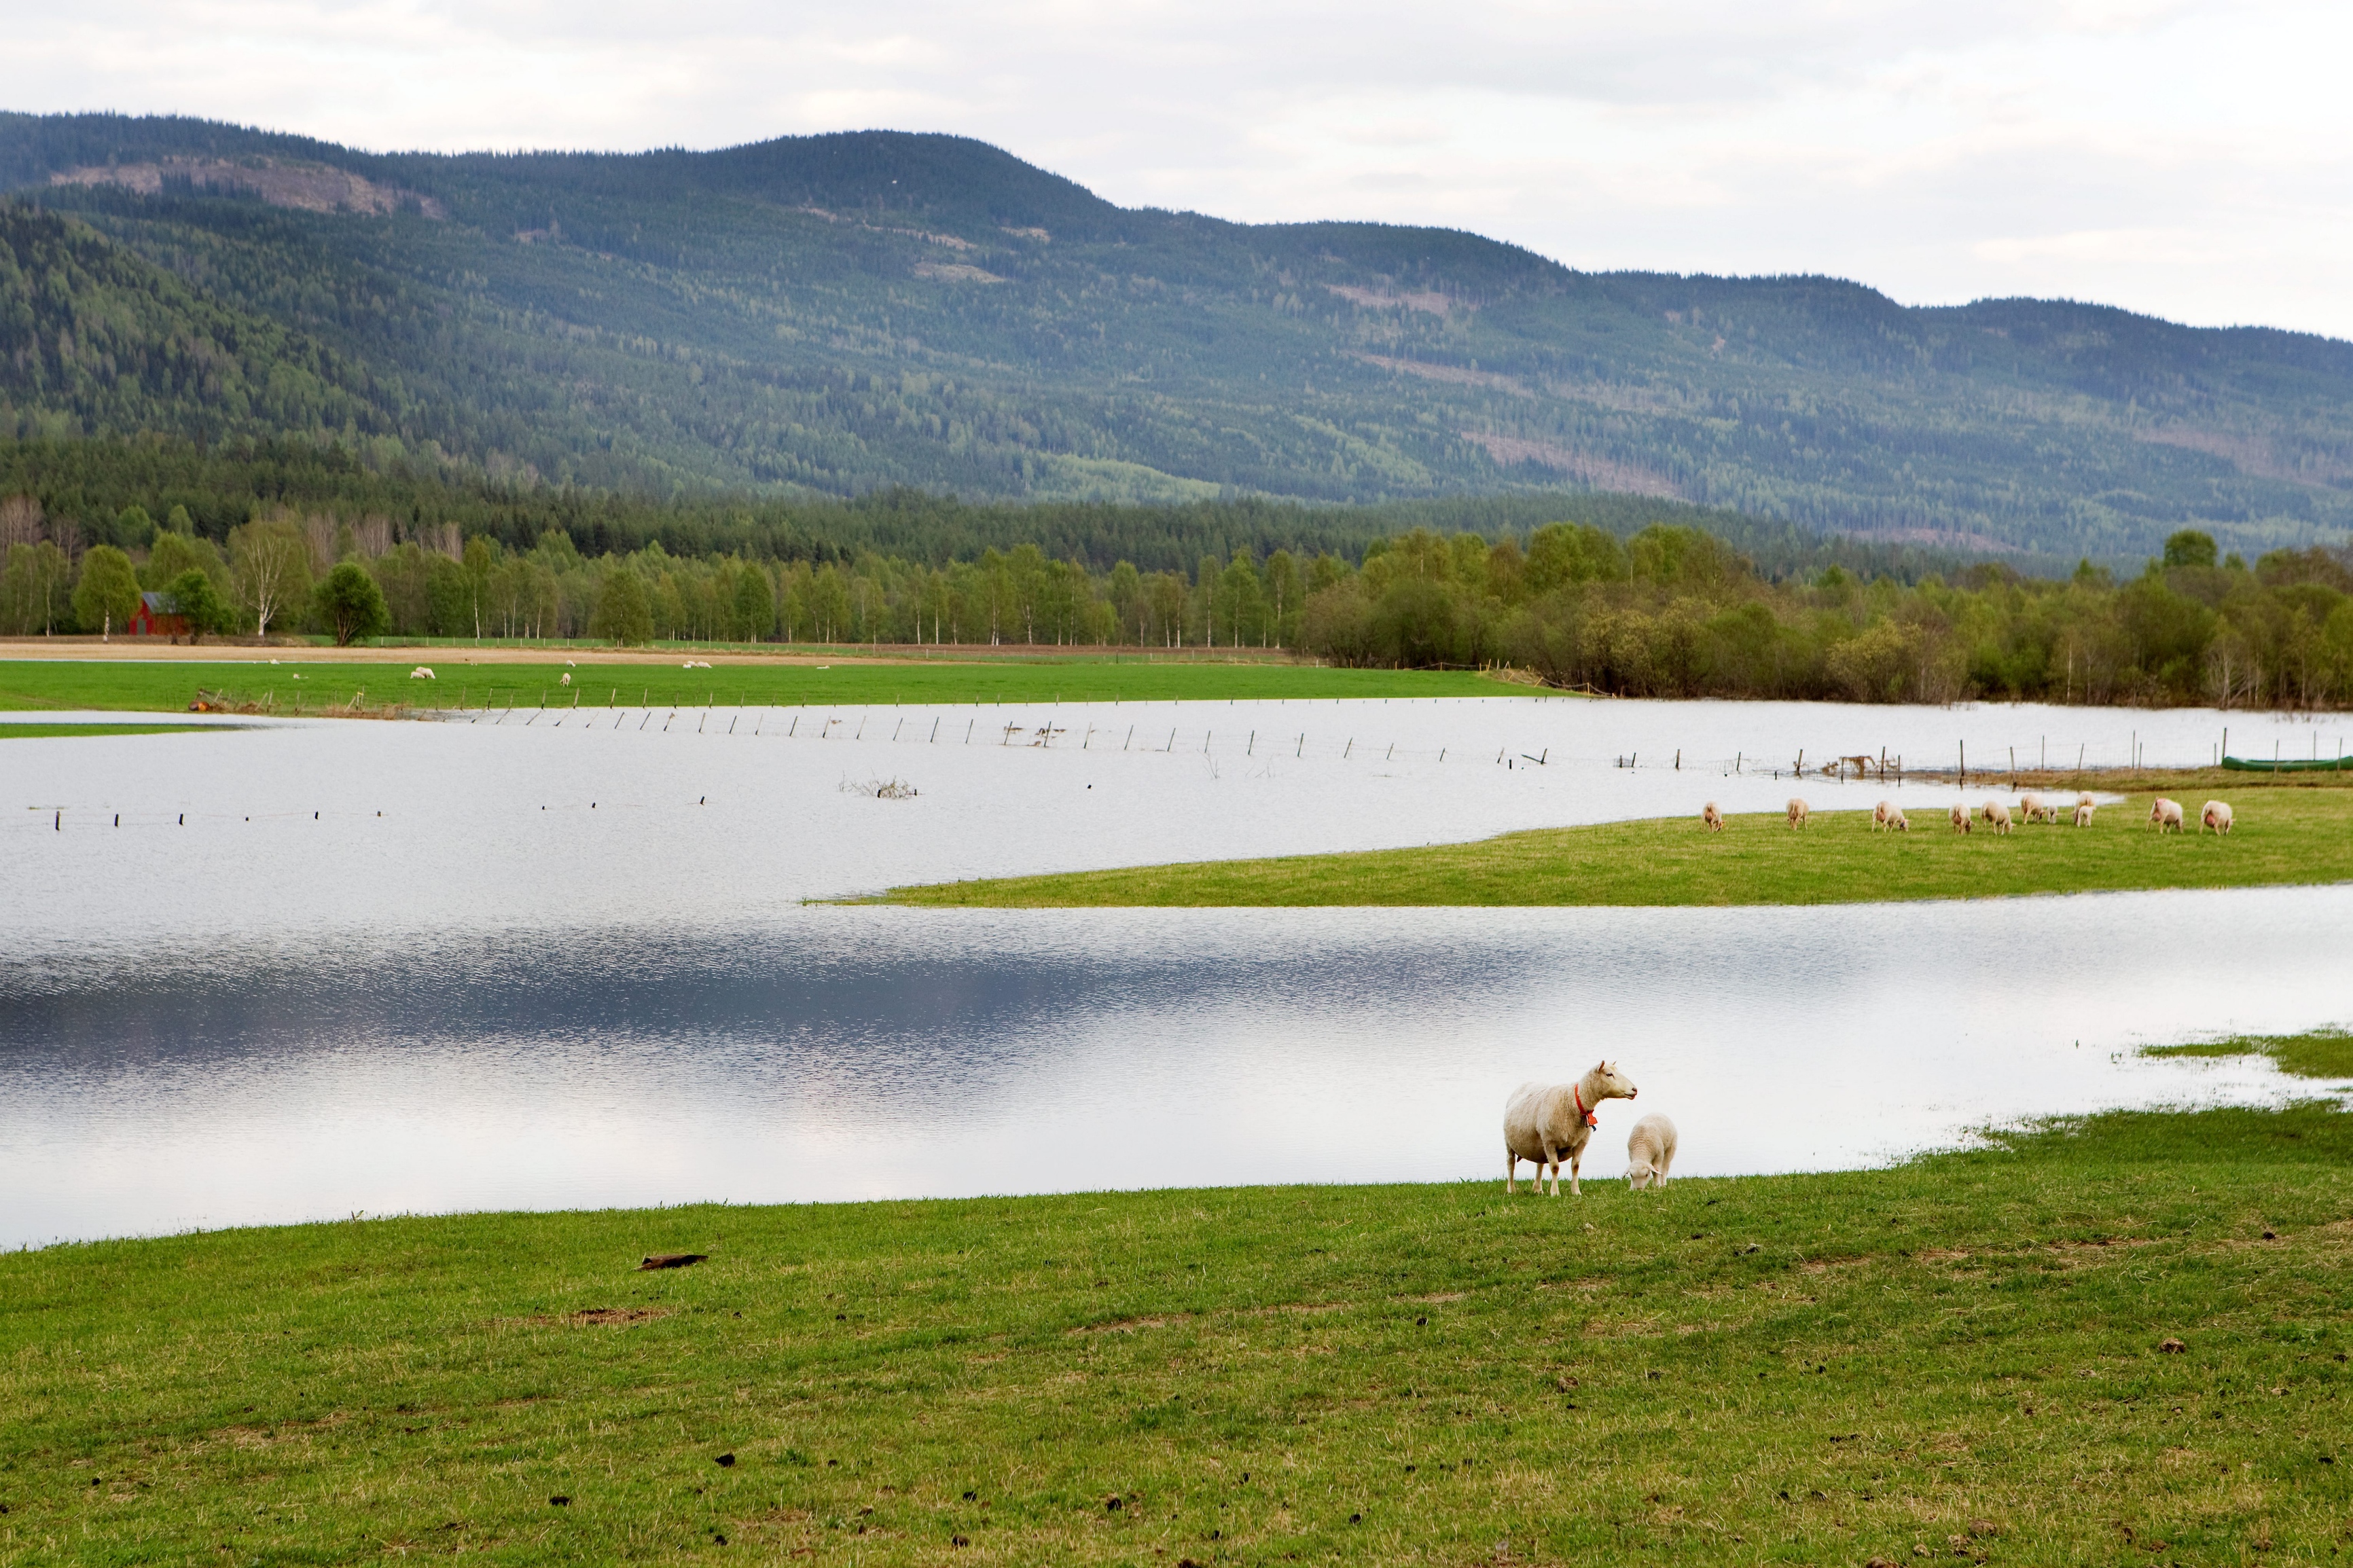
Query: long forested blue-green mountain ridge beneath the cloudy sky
(858, 311)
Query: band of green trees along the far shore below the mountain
(1662, 612)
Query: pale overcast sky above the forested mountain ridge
(2178, 156)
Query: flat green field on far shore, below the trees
(173, 685)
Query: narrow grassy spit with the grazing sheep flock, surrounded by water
(2284, 836)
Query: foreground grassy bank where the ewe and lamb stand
(1954, 1358)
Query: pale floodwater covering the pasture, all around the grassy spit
(564, 960)
